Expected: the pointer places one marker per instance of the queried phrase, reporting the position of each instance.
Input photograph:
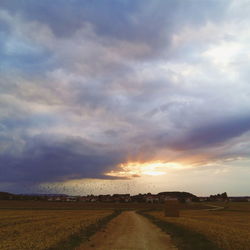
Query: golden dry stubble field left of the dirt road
(31, 229)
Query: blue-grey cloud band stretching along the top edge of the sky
(152, 22)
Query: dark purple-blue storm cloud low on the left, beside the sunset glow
(47, 160)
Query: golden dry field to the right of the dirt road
(227, 228)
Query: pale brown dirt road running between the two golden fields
(129, 231)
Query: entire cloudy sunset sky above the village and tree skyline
(125, 96)
